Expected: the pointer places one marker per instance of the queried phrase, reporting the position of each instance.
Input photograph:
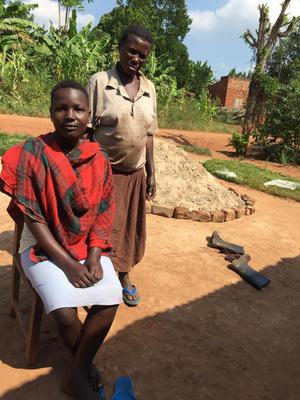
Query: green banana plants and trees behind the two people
(33, 59)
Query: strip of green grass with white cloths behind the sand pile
(252, 176)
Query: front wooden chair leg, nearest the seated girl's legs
(34, 327)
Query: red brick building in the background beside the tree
(231, 92)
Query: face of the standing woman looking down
(133, 54)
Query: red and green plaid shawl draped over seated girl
(73, 195)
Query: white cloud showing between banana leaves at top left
(48, 12)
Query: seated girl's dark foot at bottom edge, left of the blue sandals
(75, 383)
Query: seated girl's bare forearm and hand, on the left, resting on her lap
(77, 273)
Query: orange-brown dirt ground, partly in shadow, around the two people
(200, 332)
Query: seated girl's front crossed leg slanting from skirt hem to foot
(93, 333)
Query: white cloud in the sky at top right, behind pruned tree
(235, 17)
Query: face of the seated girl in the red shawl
(69, 113)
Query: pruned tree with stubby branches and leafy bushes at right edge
(272, 112)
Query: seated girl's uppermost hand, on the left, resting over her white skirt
(79, 275)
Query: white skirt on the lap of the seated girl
(56, 291)
